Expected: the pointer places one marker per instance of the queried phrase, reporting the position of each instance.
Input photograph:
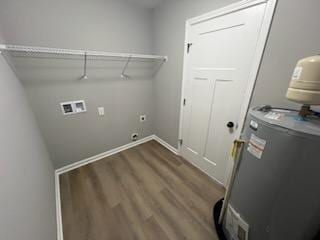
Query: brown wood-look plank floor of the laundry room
(144, 193)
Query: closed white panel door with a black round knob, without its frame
(219, 64)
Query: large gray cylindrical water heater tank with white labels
(277, 186)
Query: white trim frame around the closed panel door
(257, 59)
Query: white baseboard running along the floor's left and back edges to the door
(95, 158)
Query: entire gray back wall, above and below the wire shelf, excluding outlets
(108, 25)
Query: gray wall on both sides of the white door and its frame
(294, 34)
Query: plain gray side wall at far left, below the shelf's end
(27, 202)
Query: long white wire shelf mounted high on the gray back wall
(61, 51)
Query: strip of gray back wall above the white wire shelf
(110, 25)
